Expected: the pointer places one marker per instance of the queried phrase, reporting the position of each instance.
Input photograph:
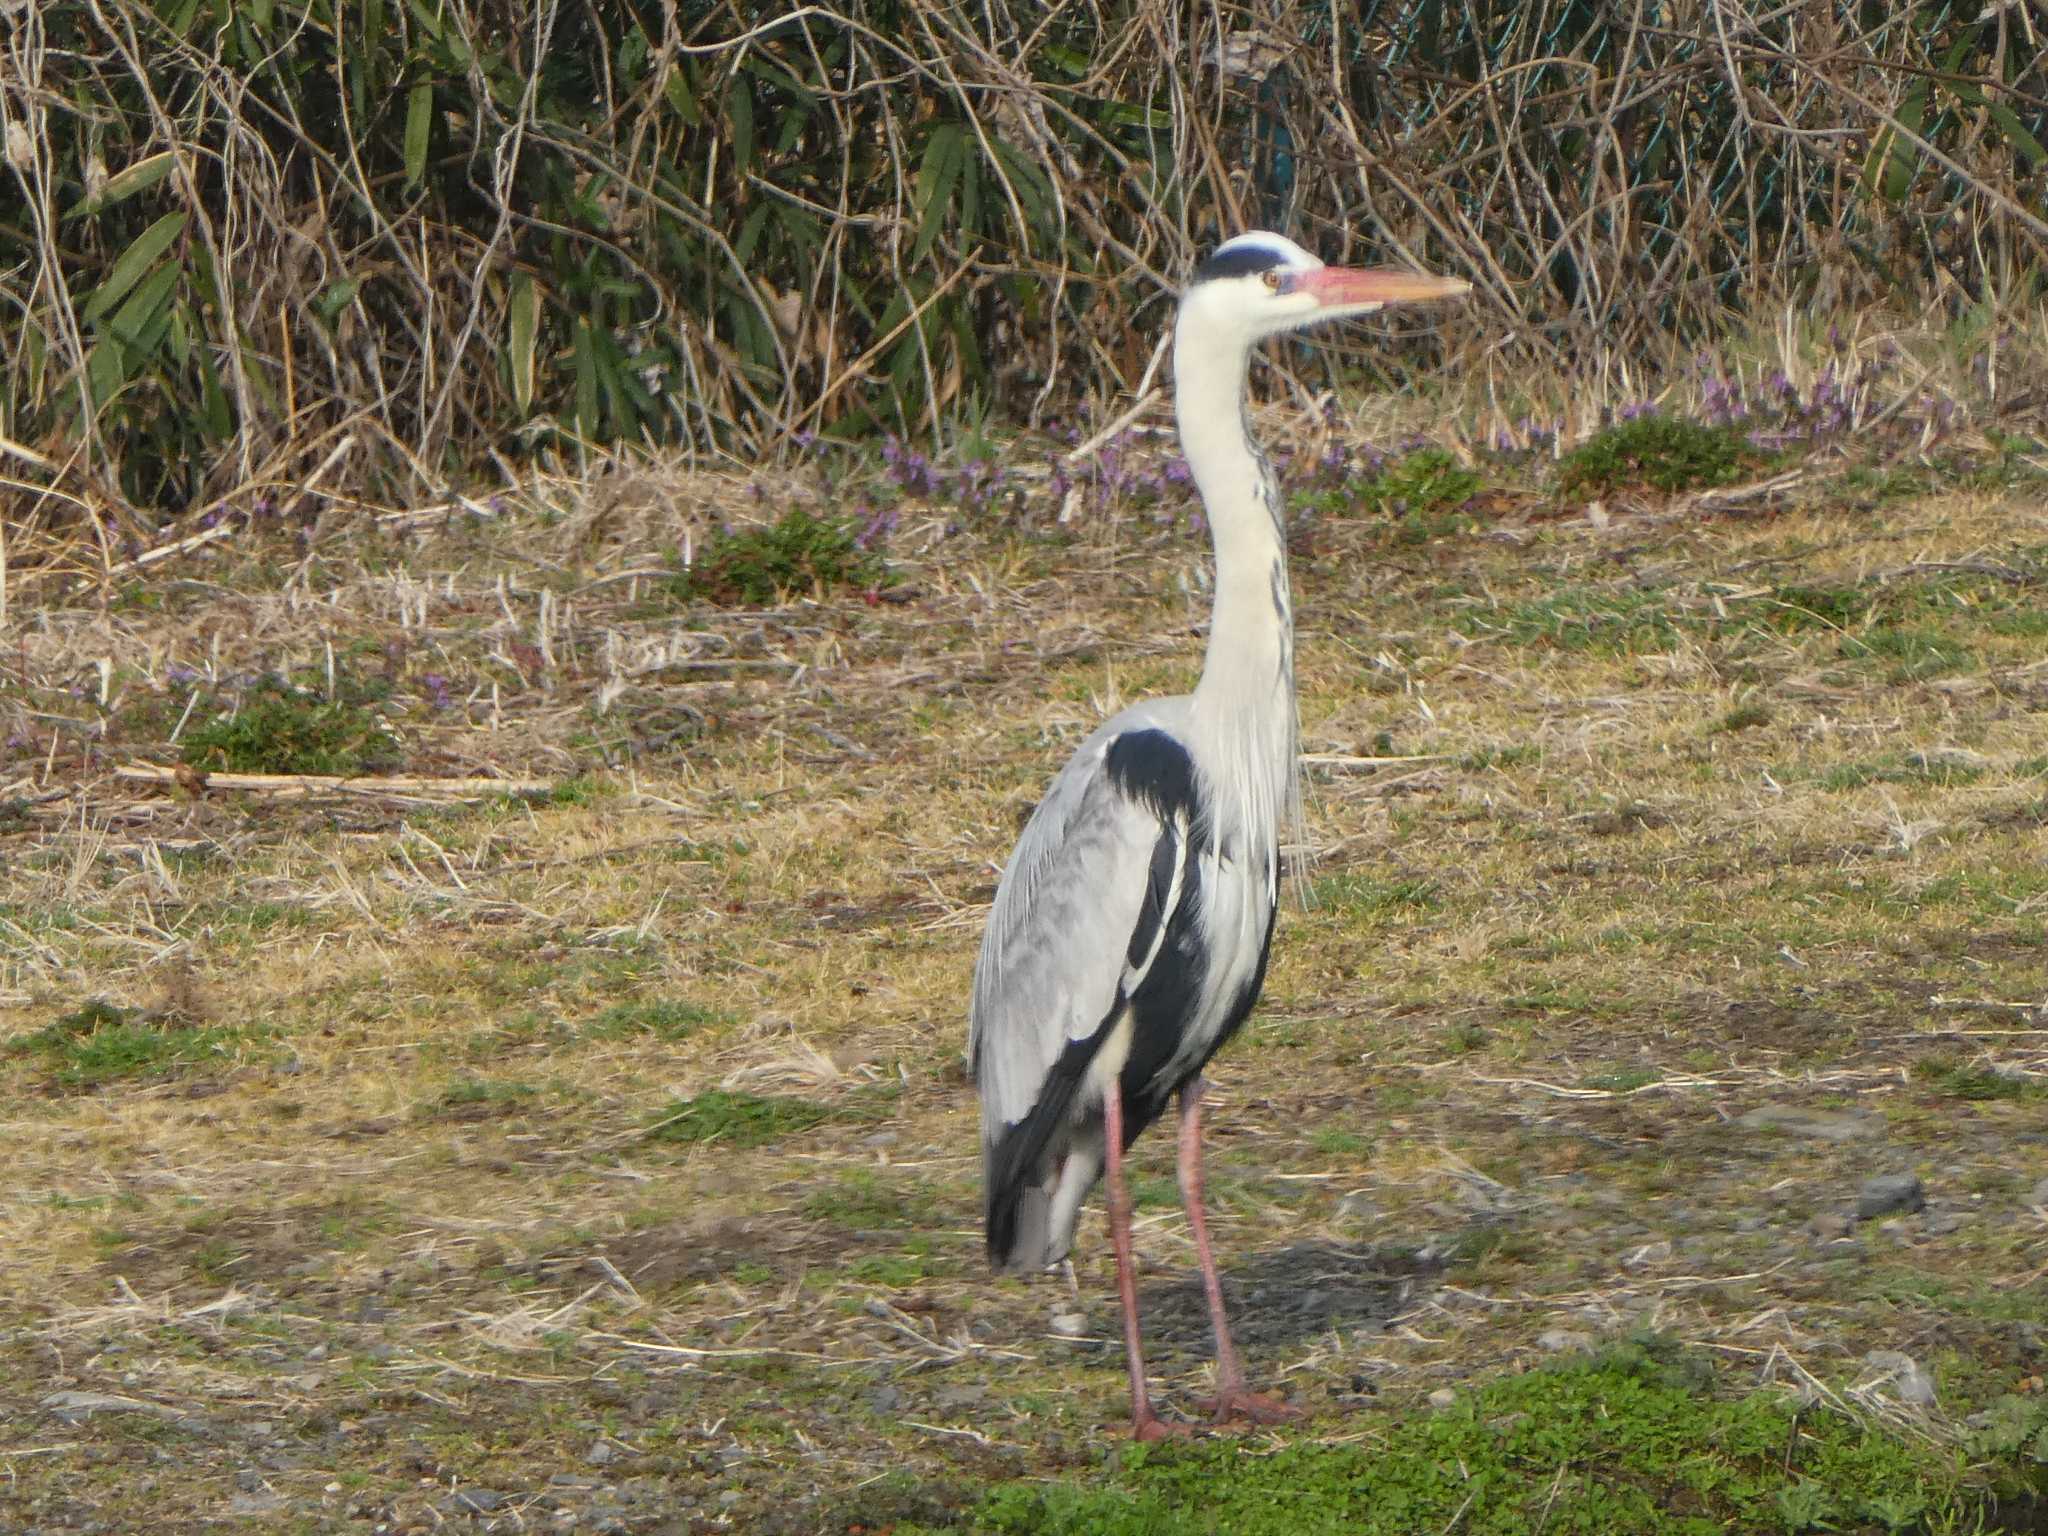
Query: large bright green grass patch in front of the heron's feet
(1631, 1441)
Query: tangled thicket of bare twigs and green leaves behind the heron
(253, 245)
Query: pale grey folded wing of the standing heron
(1076, 925)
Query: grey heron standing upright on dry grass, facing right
(1132, 927)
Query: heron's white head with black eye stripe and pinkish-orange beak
(1263, 284)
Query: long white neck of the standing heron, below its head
(1248, 681)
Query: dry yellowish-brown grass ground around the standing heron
(1670, 839)
